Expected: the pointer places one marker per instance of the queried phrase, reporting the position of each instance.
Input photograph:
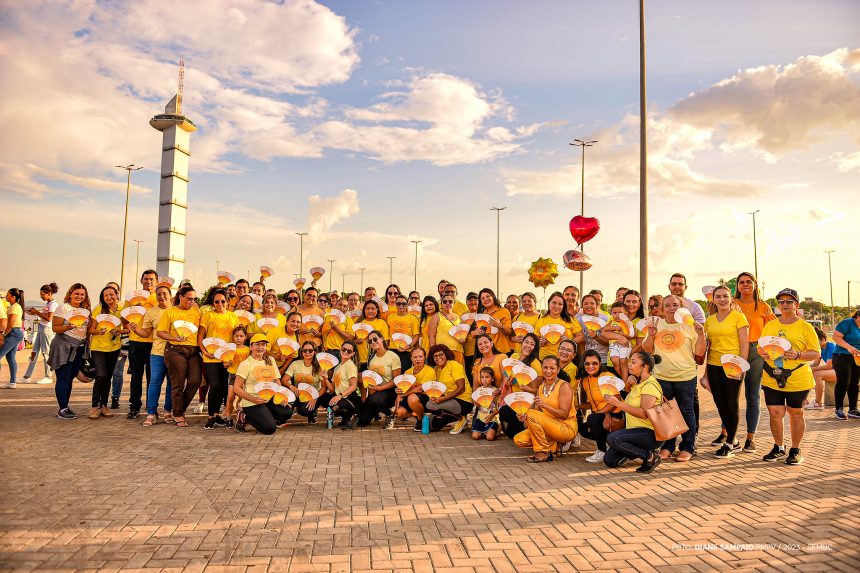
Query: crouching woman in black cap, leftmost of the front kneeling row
(263, 415)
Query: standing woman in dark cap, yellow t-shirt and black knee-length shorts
(789, 393)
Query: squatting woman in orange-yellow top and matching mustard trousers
(551, 419)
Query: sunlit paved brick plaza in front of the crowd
(112, 495)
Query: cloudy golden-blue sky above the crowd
(369, 124)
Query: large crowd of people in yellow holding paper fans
(583, 367)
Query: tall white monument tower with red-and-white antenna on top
(173, 197)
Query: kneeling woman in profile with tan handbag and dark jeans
(637, 440)
